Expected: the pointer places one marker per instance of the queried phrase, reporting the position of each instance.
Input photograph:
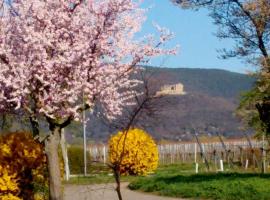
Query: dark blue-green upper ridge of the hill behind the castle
(214, 82)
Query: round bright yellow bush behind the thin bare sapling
(138, 151)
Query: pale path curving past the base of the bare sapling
(106, 192)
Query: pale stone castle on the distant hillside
(175, 89)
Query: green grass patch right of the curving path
(179, 181)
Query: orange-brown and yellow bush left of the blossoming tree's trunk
(22, 165)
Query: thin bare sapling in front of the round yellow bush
(146, 106)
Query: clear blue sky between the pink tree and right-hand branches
(194, 32)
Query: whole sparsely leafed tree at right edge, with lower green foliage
(248, 24)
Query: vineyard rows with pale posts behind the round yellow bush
(241, 152)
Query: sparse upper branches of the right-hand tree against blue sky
(247, 22)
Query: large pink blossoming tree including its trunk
(54, 52)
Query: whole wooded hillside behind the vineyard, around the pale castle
(211, 99)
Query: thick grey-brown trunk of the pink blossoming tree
(51, 148)
